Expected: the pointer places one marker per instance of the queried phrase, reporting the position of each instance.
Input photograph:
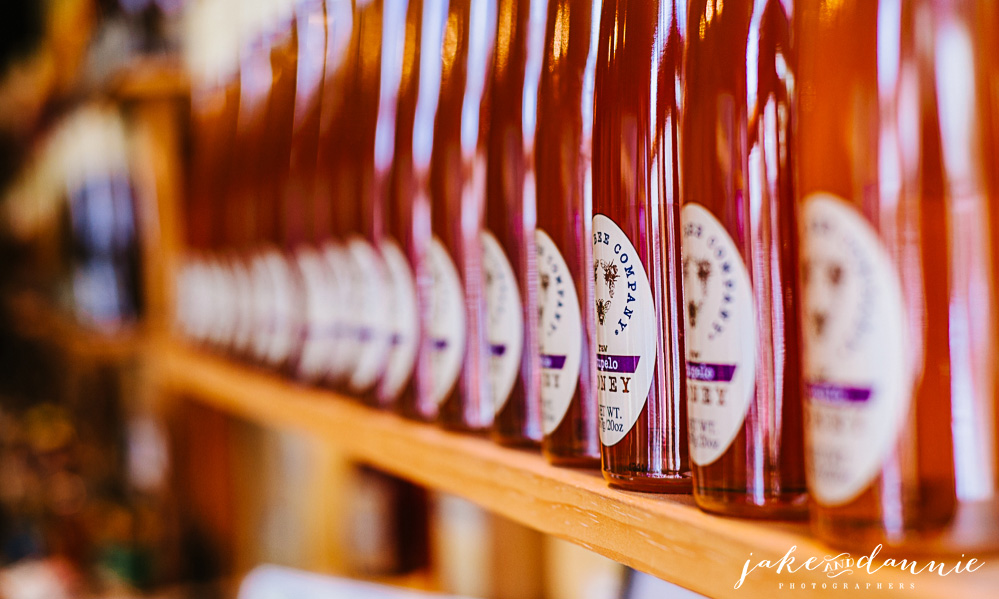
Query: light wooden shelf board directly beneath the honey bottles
(666, 536)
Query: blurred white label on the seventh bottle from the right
(403, 320)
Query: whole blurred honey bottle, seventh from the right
(408, 206)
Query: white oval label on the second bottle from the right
(720, 331)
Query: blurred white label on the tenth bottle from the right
(320, 323)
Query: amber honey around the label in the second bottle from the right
(727, 120)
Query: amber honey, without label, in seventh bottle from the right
(408, 211)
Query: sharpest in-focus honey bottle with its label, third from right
(636, 246)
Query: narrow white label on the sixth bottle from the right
(447, 320)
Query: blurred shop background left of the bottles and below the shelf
(107, 489)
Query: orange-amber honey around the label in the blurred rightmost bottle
(937, 488)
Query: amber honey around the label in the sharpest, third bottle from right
(635, 183)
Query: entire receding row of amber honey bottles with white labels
(744, 248)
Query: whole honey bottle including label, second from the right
(740, 244)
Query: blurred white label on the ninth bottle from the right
(344, 345)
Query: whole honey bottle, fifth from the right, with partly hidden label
(509, 258)
